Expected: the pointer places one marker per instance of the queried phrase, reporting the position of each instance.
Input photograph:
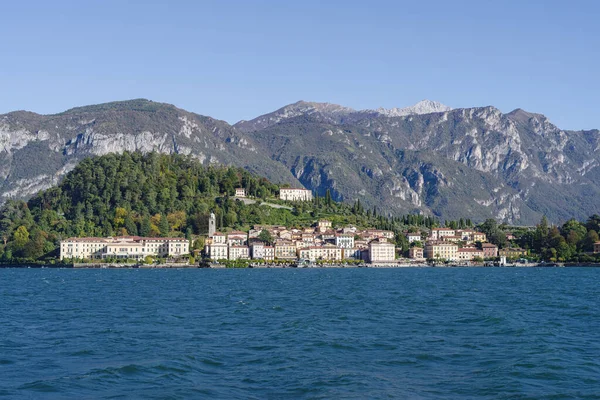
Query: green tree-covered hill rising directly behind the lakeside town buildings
(158, 195)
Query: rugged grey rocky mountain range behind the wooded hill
(429, 158)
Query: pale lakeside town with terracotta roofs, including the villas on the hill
(321, 242)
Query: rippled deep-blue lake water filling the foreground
(427, 333)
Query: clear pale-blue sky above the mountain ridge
(236, 60)
